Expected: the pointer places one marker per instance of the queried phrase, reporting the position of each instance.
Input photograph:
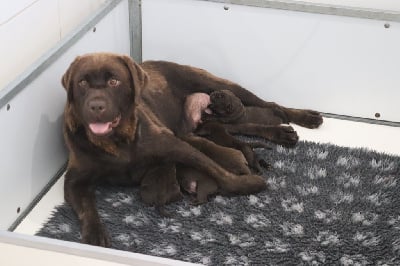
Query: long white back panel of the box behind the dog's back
(333, 64)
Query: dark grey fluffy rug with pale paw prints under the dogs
(326, 205)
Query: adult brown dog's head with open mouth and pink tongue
(101, 88)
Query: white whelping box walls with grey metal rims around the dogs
(342, 61)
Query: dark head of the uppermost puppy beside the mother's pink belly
(226, 106)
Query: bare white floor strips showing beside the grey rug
(335, 131)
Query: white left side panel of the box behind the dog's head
(32, 148)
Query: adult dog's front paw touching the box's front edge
(96, 235)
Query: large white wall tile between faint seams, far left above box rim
(27, 36)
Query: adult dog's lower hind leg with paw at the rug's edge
(283, 135)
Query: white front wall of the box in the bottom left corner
(18, 249)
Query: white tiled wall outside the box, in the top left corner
(29, 28)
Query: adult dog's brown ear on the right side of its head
(139, 77)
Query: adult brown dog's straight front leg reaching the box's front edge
(80, 194)
